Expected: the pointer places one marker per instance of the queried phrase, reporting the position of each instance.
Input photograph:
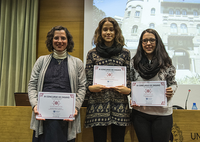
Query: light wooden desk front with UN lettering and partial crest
(186, 125)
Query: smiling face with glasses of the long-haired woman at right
(149, 44)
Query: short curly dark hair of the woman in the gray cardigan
(50, 36)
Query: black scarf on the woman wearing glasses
(148, 70)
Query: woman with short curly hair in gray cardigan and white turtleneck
(57, 72)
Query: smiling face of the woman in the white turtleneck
(60, 41)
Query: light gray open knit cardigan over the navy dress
(77, 82)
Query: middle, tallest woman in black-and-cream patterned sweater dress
(107, 106)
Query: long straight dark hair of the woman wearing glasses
(160, 52)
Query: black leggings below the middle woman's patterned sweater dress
(117, 133)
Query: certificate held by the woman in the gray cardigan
(53, 105)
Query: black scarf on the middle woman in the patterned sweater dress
(107, 52)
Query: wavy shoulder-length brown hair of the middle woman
(119, 39)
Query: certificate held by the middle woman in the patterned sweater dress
(109, 76)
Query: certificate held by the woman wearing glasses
(148, 93)
